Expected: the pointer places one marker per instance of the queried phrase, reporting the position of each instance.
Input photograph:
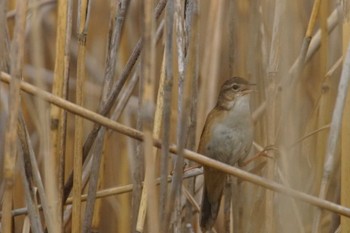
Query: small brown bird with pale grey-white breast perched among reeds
(227, 137)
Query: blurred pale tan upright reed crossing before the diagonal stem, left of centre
(149, 204)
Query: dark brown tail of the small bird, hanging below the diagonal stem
(210, 207)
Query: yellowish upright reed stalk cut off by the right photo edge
(345, 137)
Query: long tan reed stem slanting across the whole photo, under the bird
(94, 117)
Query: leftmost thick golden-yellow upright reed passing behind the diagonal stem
(54, 164)
